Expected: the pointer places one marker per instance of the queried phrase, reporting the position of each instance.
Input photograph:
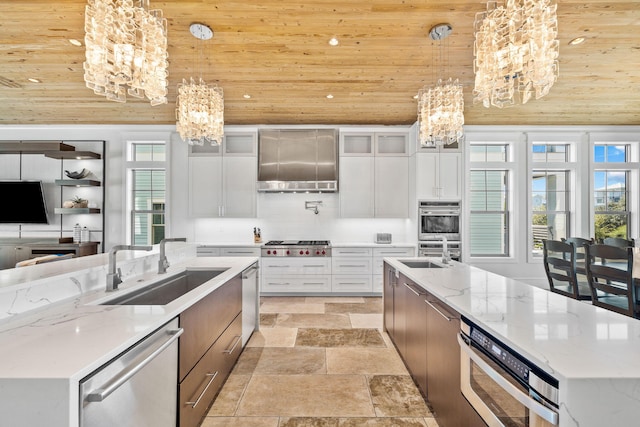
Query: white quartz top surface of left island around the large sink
(72, 338)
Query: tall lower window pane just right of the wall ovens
(488, 219)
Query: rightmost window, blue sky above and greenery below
(611, 190)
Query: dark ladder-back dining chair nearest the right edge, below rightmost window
(610, 275)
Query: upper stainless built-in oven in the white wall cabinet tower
(439, 219)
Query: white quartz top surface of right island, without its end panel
(567, 338)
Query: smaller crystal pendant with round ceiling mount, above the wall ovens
(441, 107)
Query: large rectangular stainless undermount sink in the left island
(165, 291)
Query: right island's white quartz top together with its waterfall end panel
(592, 352)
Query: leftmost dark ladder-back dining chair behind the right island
(559, 260)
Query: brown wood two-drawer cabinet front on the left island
(208, 349)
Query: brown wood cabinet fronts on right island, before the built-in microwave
(425, 330)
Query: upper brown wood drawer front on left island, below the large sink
(205, 321)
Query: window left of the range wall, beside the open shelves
(147, 196)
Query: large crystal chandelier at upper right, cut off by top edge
(516, 52)
